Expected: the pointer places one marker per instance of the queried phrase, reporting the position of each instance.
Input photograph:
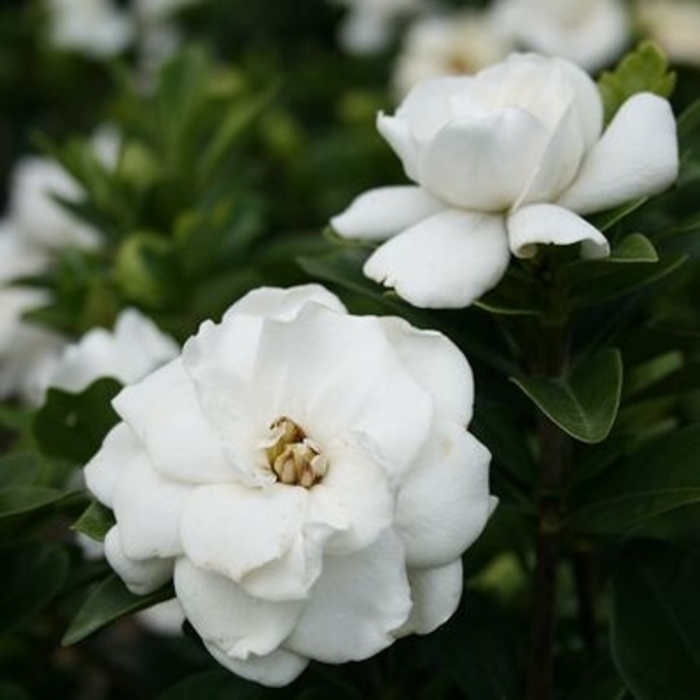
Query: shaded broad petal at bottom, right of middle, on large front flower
(355, 606)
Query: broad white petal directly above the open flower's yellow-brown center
(342, 382)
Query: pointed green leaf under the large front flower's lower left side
(109, 601)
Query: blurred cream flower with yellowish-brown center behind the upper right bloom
(461, 42)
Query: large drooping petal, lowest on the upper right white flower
(446, 261)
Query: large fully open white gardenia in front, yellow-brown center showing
(305, 476)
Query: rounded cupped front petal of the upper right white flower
(484, 163)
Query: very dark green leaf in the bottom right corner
(655, 632)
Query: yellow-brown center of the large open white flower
(294, 458)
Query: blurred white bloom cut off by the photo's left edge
(26, 349)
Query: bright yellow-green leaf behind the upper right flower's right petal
(643, 70)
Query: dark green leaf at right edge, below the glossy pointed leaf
(660, 476)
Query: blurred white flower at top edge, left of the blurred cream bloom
(367, 28)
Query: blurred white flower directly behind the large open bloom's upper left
(128, 353)
